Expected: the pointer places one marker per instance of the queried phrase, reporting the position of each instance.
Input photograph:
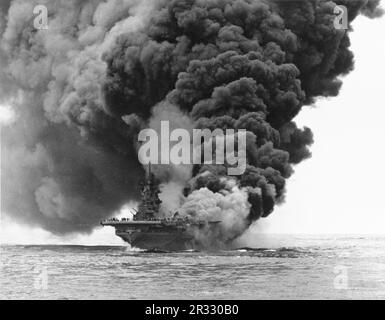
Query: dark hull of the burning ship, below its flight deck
(163, 241)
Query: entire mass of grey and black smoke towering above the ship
(84, 88)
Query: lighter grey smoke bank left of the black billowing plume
(66, 162)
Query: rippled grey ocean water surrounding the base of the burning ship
(278, 267)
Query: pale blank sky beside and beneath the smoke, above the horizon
(340, 189)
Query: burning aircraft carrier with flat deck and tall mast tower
(147, 231)
